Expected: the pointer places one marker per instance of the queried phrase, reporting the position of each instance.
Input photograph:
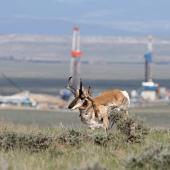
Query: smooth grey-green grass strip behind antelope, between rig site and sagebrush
(153, 116)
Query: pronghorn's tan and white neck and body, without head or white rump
(97, 108)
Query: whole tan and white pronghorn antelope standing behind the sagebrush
(94, 110)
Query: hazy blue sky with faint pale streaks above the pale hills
(100, 17)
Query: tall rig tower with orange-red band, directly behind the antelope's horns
(75, 58)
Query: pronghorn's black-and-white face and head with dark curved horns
(82, 96)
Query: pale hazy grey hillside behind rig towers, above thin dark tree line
(98, 49)
